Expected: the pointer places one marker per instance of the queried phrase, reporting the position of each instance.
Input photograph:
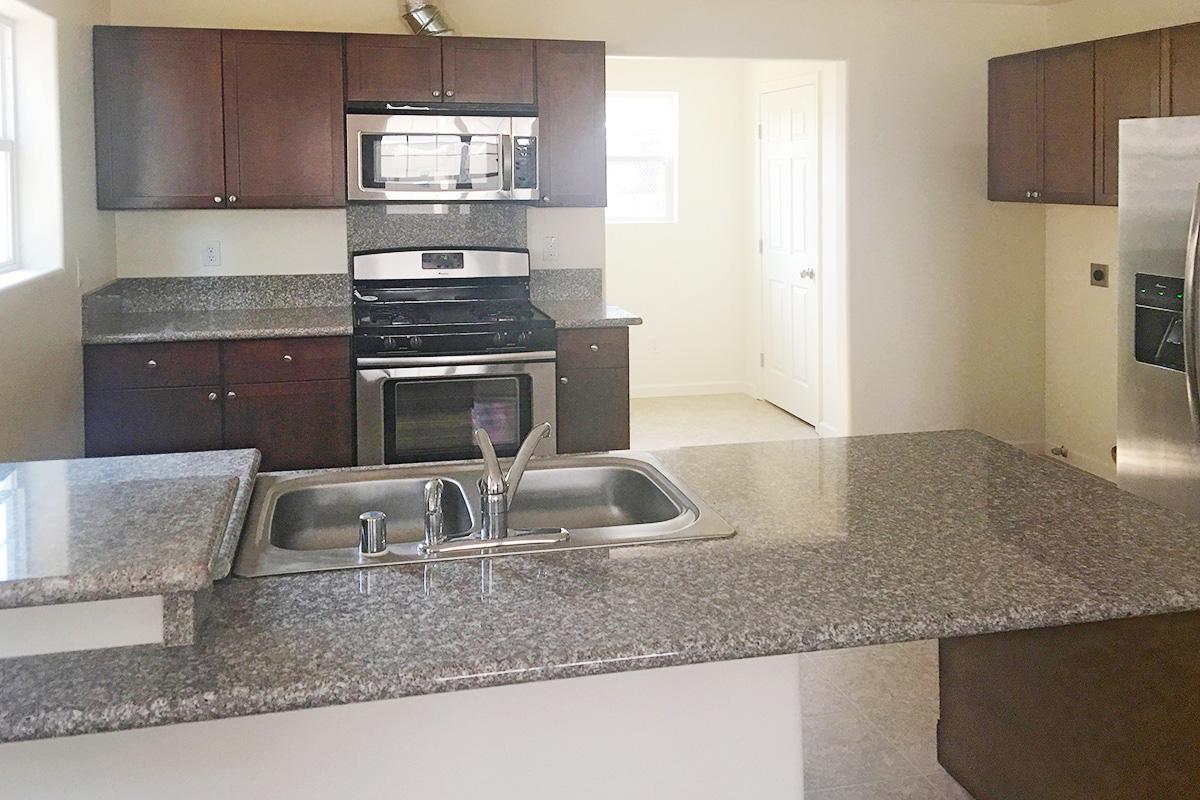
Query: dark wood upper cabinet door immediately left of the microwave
(285, 121)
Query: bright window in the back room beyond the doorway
(644, 145)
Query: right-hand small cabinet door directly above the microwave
(488, 70)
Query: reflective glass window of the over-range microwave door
(431, 163)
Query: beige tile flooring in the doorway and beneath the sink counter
(869, 714)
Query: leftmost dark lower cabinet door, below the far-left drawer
(137, 422)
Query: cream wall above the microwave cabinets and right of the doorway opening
(945, 290)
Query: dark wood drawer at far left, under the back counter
(152, 366)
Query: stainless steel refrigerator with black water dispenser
(1159, 402)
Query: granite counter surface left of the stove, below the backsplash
(124, 328)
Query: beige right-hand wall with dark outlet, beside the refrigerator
(1082, 340)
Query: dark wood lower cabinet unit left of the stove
(290, 399)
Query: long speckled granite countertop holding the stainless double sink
(842, 543)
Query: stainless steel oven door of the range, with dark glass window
(428, 408)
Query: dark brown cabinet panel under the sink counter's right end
(1107, 711)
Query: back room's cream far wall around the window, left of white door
(686, 279)
